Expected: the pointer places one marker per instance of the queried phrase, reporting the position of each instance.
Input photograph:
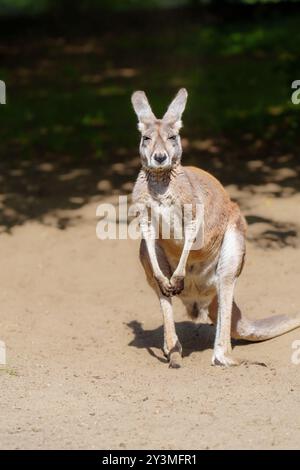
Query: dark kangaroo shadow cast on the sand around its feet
(193, 337)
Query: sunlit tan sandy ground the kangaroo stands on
(83, 334)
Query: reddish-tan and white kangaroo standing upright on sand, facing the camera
(203, 278)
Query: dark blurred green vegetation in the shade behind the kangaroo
(69, 87)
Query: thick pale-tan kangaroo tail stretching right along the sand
(260, 330)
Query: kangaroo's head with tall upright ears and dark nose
(160, 146)
